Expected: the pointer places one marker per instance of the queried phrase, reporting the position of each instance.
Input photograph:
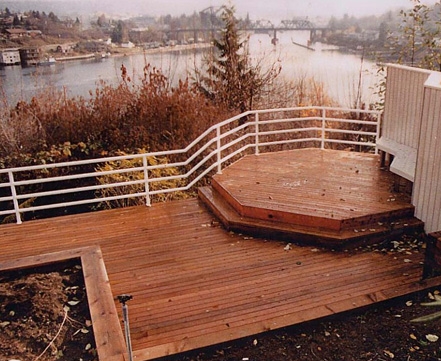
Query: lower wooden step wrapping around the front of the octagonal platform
(368, 233)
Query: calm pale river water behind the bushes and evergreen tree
(338, 72)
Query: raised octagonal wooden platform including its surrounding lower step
(327, 197)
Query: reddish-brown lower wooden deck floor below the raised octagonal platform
(194, 283)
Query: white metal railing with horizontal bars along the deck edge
(208, 152)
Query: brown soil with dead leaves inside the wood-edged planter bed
(44, 315)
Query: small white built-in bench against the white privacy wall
(404, 161)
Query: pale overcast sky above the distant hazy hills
(257, 9)
